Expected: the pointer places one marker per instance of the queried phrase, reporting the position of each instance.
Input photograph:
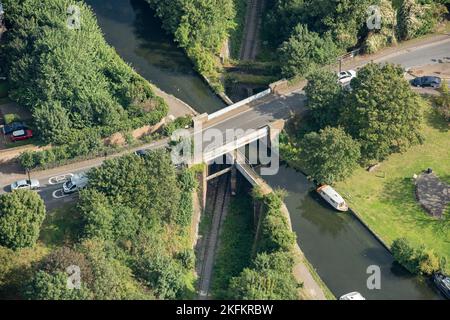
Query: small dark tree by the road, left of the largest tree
(324, 98)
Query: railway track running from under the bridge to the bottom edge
(220, 189)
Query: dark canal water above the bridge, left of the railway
(131, 28)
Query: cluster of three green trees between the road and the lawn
(379, 116)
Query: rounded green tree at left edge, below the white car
(21, 215)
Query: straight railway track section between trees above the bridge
(250, 43)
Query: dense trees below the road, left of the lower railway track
(132, 238)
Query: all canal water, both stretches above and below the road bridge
(337, 245)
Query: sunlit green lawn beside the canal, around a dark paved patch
(385, 199)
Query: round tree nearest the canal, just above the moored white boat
(330, 155)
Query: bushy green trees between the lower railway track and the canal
(270, 275)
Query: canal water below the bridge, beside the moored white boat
(341, 248)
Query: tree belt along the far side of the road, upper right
(342, 25)
